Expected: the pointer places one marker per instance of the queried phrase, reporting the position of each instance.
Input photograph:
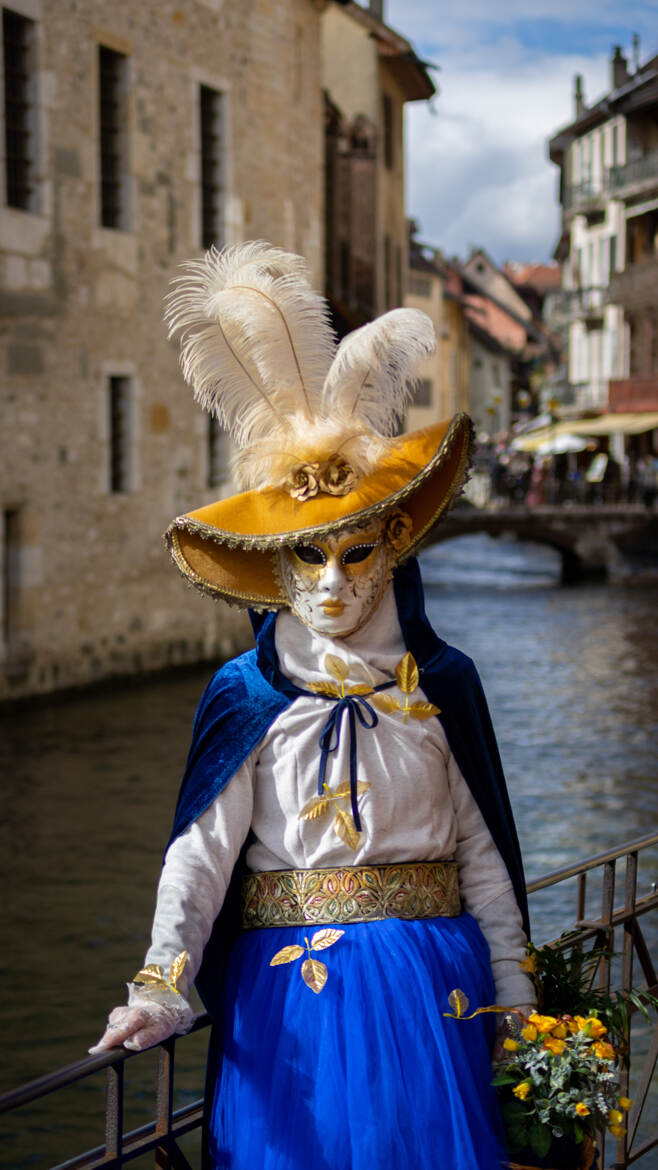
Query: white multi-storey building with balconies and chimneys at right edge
(608, 160)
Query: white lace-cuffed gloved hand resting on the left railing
(152, 1016)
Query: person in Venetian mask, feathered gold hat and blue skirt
(344, 796)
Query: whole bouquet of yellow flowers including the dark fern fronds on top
(559, 1078)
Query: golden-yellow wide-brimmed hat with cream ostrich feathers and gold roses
(312, 423)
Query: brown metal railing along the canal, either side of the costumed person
(161, 1137)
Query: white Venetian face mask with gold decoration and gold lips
(335, 586)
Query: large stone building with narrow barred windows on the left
(139, 134)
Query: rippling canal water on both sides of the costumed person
(91, 782)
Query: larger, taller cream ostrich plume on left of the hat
(257, 341)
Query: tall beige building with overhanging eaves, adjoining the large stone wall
(371, 72)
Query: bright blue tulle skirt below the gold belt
(368, 1075)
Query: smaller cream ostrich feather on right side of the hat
(373, 375)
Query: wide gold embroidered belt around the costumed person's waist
(297, 898)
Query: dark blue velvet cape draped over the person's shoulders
(244, 699)
